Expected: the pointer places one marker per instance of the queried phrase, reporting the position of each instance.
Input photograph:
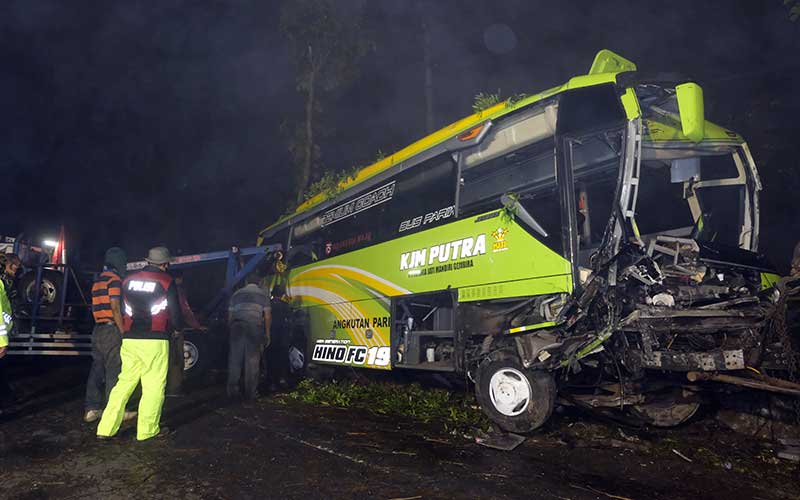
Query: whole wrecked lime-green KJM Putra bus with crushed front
(597, 240)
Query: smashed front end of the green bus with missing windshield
(674, 285)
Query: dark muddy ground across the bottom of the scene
(274, 449)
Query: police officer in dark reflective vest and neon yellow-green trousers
(151, 312)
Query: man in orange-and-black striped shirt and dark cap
(106, 335)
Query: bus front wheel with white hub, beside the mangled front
(515, 398)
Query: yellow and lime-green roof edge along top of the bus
(605, 68)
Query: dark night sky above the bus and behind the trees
(139, 123)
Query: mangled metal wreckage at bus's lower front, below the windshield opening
(657, 319)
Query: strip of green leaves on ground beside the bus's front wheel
(454, 411)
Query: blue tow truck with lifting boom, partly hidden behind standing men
(52, 304)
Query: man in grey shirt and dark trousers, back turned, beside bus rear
(249, 321)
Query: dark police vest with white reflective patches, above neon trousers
(150, 305)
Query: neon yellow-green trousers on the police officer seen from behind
(144, 360)
